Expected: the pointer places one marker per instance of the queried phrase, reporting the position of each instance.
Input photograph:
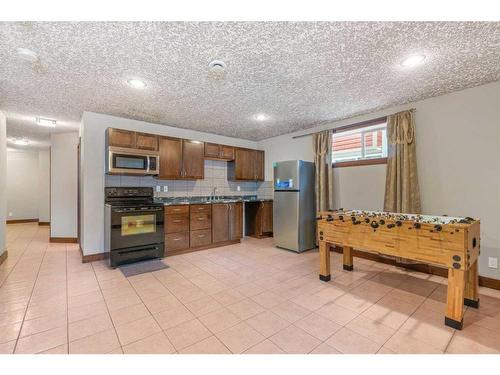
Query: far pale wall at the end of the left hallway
(22, 184)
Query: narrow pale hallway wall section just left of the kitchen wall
(63, 182)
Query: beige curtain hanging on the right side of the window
(402, 193)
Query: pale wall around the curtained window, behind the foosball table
(458, 151)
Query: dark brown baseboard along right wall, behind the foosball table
(425, 268)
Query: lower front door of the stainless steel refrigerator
(286, 219)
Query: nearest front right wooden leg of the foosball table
(455, 298)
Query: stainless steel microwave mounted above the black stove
(120, 160)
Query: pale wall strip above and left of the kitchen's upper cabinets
(92, 131)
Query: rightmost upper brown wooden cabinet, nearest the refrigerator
(248, 165)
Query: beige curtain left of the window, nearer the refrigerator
(322, 147)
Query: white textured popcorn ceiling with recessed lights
(299, 74)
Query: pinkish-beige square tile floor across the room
(245, 298)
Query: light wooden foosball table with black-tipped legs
(450, 242)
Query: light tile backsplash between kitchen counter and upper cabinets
(215, 177)
